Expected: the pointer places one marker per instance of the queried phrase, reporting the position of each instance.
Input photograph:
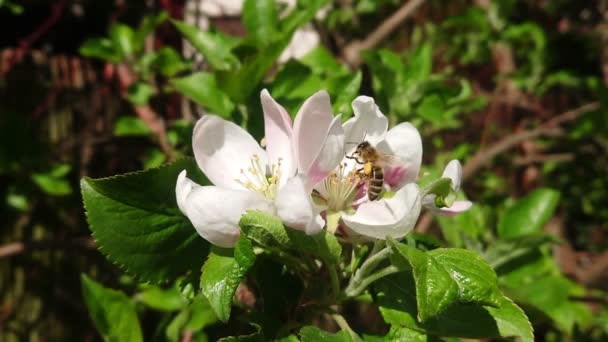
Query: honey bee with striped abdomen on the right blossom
(372, 171)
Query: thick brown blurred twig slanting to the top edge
(352, 50)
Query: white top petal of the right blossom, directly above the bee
(368, 123)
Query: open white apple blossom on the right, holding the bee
(340, 195)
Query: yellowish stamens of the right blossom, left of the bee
(341, 187)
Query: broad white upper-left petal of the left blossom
(222, 149)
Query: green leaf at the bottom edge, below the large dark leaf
(112, 312)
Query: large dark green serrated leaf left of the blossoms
(136, 222)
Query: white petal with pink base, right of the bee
(402, 141)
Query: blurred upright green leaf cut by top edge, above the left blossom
(261, 20)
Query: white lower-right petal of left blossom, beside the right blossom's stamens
(295, 208)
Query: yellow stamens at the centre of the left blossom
(258, 179)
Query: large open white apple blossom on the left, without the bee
(247, 177)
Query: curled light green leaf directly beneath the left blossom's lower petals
(269, 231)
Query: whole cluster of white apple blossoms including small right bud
(306, 174)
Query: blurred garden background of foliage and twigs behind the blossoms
(515, 89)
